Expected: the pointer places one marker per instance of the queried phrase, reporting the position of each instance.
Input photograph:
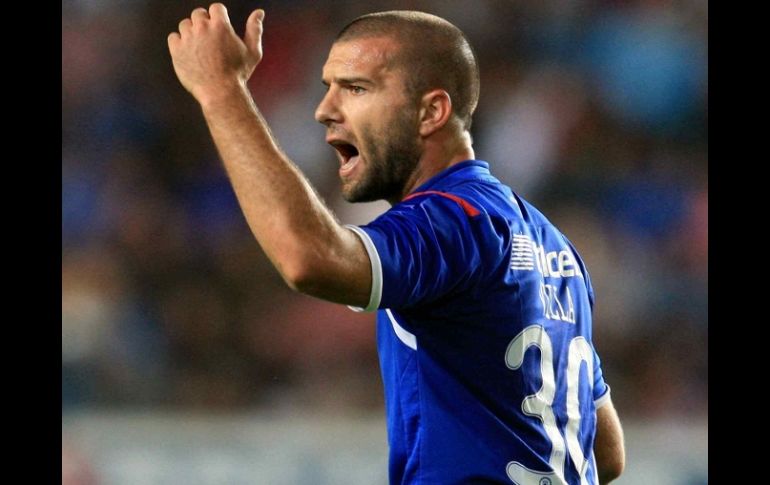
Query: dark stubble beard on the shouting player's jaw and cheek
(393, 157)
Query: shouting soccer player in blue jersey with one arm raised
(483, 306)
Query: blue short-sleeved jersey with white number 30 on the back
(484, 337)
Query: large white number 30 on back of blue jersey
(540, 405)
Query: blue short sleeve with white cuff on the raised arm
(420, 251)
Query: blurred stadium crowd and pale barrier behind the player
(185, 359)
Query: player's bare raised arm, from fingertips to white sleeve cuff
(311, 250)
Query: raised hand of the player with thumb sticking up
(208, 55)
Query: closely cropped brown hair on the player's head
(433, 52)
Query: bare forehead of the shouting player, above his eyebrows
(360, 57)
